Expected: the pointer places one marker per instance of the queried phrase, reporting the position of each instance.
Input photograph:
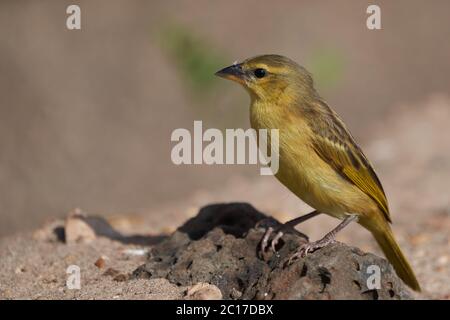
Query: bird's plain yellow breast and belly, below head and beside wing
(301, 170)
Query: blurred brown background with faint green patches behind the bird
(86, 116)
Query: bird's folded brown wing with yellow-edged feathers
(336, 146)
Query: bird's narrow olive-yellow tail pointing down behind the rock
(391, 250)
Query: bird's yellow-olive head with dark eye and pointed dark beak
(270, 77)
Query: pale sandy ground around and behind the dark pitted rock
(411, 155)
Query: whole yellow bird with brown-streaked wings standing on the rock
(319, 160)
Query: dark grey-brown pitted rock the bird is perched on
(219, 247)
